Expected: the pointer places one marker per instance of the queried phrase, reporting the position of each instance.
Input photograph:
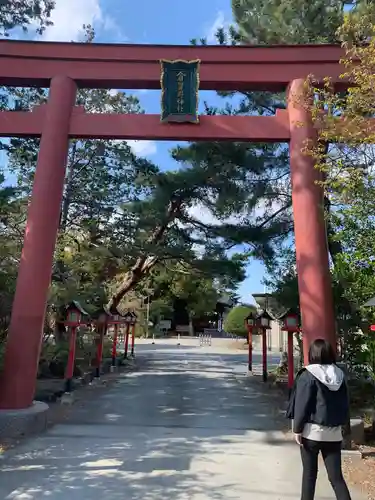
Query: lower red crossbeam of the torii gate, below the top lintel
(116, 126)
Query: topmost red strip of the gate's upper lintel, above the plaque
(145, 53)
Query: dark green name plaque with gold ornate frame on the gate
(179, 91)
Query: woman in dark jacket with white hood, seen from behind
(319, 407)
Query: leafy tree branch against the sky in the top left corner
(23, 13)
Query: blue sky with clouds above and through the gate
(151, 22)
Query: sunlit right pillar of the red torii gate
(314, 280)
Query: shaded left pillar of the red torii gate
(17, 386)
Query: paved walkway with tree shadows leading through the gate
(185, 426)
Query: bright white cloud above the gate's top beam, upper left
(69, 16)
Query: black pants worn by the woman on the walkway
(331, 452)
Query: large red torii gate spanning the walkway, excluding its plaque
(65, 66)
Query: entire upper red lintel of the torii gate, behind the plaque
(138, 66)
